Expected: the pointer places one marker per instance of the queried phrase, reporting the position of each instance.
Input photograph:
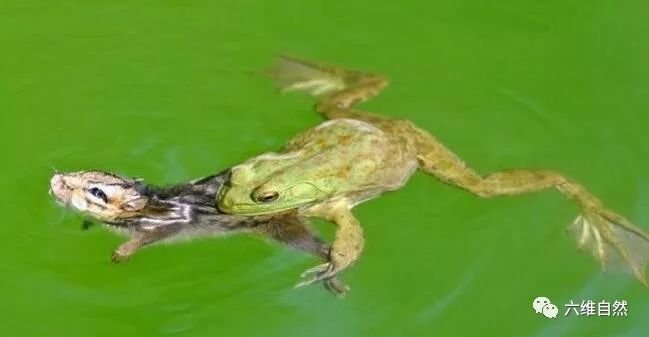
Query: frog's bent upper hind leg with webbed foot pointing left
(336, 89)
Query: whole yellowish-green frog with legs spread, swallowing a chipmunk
(356, 156)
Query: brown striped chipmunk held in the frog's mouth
(148, 214)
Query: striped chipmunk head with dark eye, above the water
(101, 195)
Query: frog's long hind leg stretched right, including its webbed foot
(610, 236)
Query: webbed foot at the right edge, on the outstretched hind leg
(612, 239)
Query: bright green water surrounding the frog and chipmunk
(170, 90)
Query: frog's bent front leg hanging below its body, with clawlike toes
(348, 241)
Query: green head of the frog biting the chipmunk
(254, 190)
